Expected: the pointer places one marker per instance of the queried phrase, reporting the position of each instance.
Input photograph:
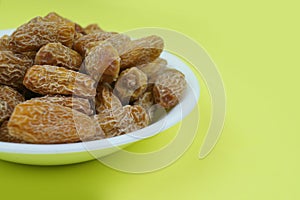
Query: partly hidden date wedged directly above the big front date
(79, 104)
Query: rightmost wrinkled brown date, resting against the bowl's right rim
(169, 87)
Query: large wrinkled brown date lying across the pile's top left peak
(38, 32)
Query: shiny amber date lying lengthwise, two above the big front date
(46, 79)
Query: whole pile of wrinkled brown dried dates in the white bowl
(62, 83)
